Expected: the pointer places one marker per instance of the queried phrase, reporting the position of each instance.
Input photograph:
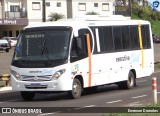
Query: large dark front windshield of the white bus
(42, 47)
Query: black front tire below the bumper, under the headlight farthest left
(27, 96)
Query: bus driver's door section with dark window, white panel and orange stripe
(81, 58)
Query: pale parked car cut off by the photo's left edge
(4, 45)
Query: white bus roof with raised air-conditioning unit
(94, 20)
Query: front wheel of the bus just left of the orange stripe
(76, 89)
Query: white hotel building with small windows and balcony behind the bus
(16, 14)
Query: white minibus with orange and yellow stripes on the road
(80, 54)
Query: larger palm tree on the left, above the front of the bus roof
(55, 16)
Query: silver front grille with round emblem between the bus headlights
(37, 78)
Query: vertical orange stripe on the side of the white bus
(89, 59)
